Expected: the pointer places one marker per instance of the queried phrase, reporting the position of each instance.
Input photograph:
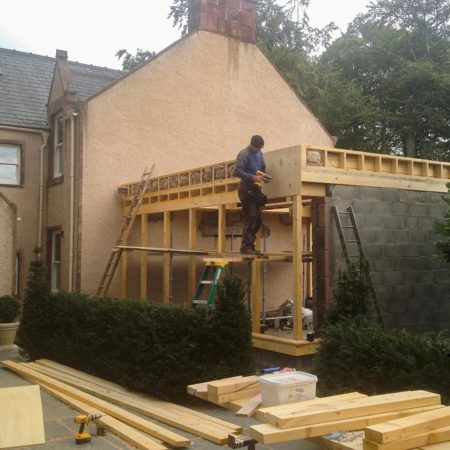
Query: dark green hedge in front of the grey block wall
(358, 355)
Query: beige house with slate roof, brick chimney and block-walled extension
(195, 104)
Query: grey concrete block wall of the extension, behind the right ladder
(396, 226)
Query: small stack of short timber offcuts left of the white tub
(240, 394)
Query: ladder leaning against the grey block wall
(346, 220)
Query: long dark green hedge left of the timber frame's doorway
(153, 348)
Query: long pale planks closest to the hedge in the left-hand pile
(186, 419)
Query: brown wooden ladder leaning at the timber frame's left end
(138, 192)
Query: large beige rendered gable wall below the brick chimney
(197, 103)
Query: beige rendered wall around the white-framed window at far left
(25, 198)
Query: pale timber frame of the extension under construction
(299, 174)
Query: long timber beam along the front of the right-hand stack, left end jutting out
(270, 434)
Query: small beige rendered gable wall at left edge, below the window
(7, 246)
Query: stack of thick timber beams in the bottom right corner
(397, 421)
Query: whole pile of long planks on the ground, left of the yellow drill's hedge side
(90, 395)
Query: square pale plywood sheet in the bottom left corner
(21, 418)
